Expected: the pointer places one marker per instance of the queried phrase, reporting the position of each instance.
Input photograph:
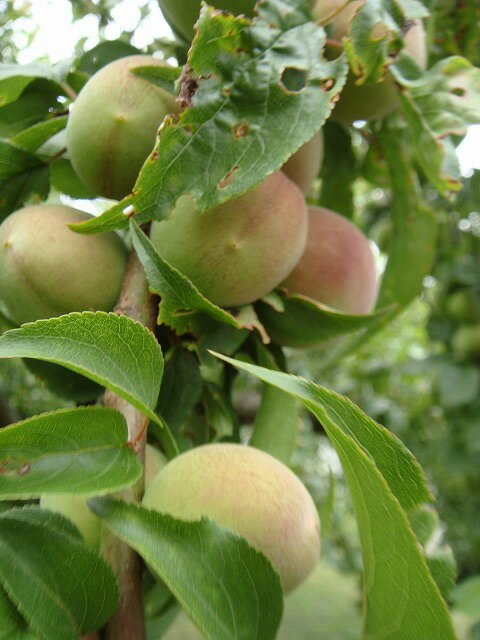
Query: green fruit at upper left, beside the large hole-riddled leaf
(113, 125)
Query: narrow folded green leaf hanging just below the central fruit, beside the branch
(179, 295)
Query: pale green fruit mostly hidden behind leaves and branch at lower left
(74, 507)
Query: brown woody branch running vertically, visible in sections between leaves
(128, 623)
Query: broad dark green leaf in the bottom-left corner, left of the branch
(60, 586)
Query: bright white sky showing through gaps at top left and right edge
(57, 35)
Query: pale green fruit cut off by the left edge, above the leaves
(49, 270)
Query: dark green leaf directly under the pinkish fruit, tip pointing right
(305, 322)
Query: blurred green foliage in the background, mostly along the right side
(419, 376)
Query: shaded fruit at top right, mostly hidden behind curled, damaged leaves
(368, 101)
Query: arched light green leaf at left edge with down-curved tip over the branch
(113, 350)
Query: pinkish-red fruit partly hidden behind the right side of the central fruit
(337, 267)
